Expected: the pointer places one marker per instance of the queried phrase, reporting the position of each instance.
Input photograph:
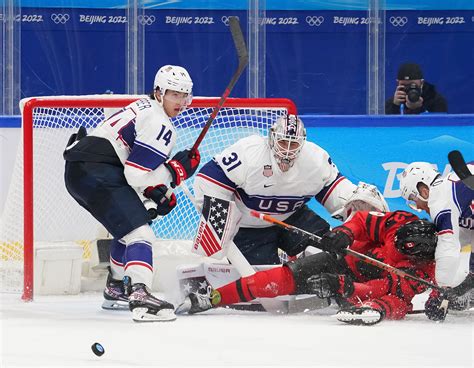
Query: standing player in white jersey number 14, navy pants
(122, 162)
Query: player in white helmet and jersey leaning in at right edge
(450, 204)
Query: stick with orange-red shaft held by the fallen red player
(353, 253)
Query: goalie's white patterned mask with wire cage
(286, 139)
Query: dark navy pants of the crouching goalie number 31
(260, 245)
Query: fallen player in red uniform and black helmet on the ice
(365, 293)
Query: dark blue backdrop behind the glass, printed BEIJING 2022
(315, 57)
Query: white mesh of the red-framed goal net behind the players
(57, 217)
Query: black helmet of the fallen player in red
(417, 239)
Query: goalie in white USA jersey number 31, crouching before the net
(277, 175)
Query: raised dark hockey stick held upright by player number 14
(243, 58)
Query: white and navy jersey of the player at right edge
(451, 205)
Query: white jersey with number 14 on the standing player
(143, 138)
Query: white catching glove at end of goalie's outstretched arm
(365, 197)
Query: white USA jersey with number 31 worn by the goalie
(248, 174)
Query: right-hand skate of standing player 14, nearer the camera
(147, 308)
